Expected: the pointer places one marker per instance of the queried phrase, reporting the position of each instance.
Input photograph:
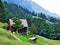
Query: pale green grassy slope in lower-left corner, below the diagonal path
(7, 38)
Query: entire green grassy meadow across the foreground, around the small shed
(7, 38)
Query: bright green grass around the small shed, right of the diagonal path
(40, 41)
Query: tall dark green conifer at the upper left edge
(3, 13)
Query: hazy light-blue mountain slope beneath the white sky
(32, 6)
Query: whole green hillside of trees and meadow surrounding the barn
(36, 25)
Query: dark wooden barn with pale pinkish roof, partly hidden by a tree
(21, 31)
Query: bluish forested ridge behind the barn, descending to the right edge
(21, 12)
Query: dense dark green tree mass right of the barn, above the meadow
(44, 27)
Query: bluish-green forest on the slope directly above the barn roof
(16, 11)
